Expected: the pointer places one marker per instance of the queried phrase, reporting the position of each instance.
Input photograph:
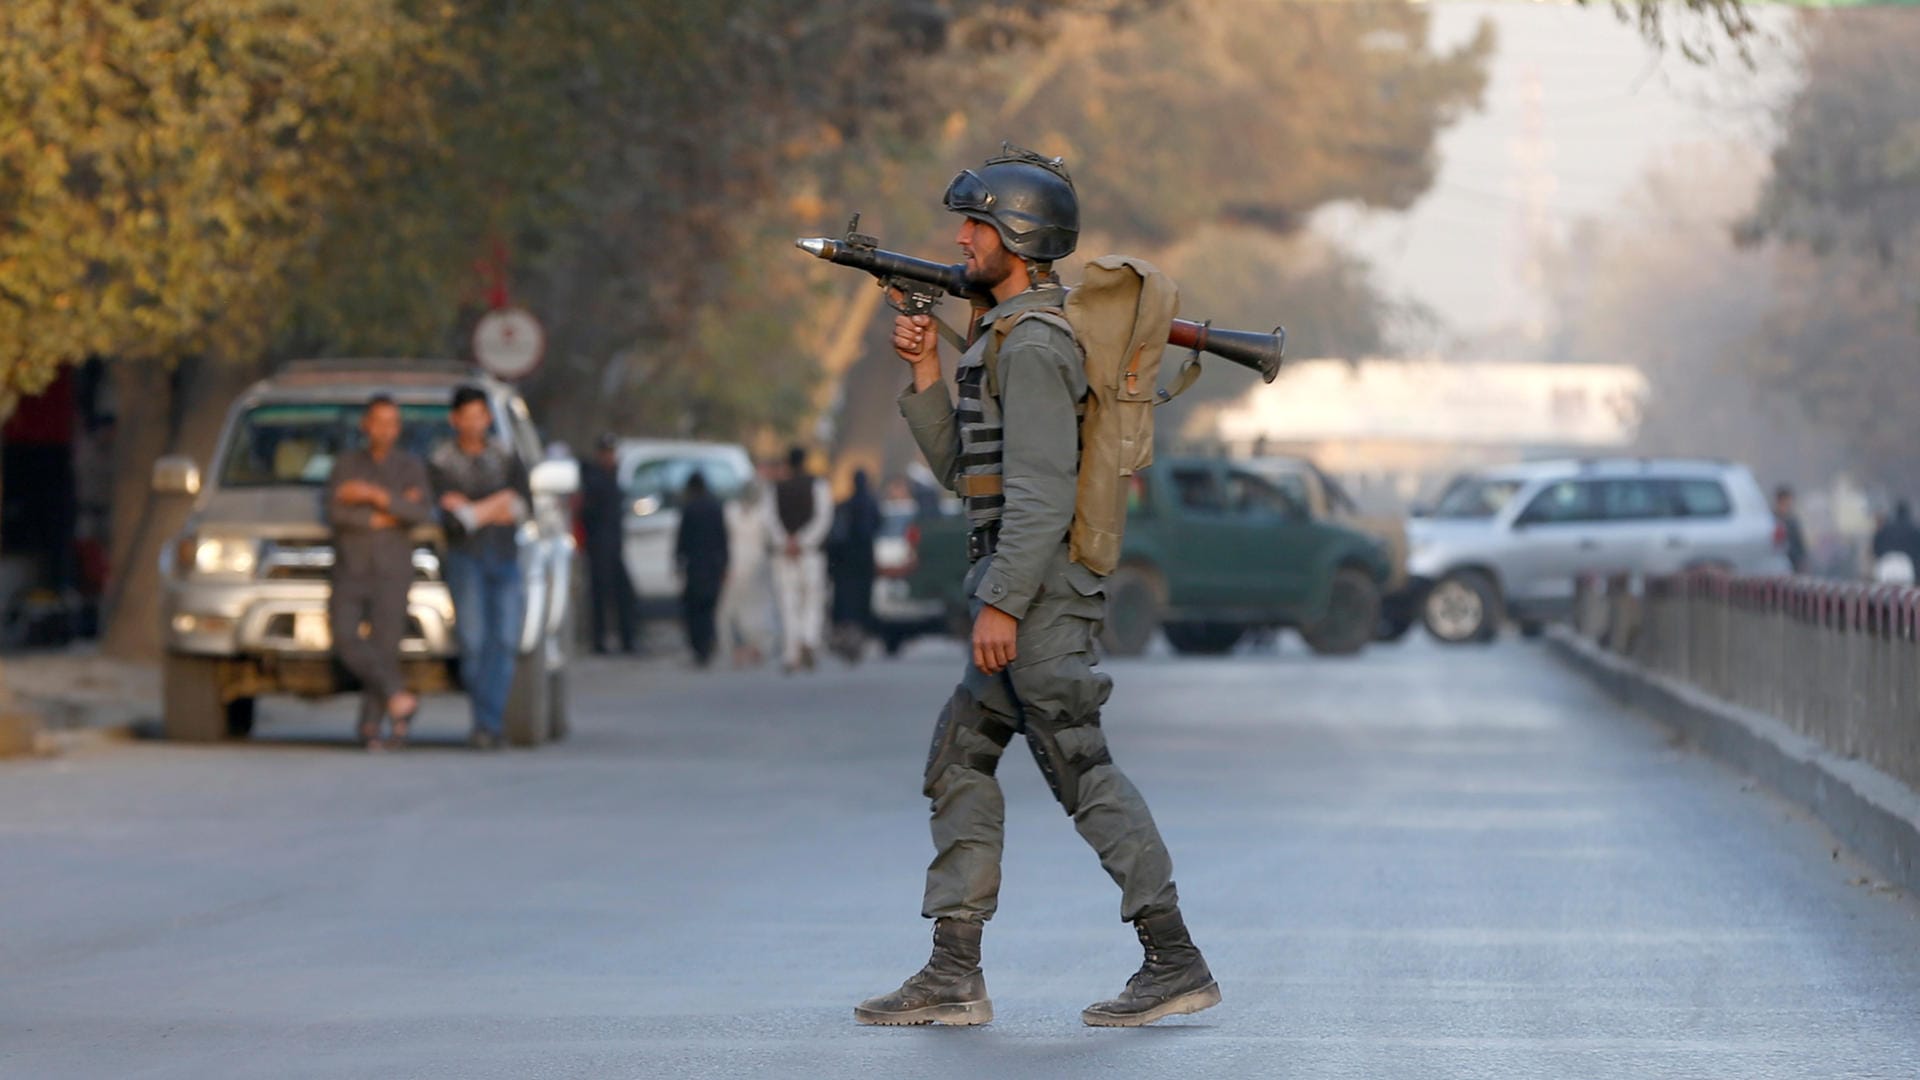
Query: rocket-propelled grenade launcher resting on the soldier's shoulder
(923, 283)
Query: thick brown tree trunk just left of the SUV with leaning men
(158, 414)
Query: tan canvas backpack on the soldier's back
(1120, 318)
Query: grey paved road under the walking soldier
(1418, 864)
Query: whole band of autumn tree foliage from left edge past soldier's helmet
(243, 178)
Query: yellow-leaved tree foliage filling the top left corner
(164, 168)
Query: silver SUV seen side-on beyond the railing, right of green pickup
(1512, 541)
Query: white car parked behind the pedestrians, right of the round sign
(654, 474)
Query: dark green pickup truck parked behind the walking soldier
(1212, 551)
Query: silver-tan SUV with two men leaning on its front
(247, 583)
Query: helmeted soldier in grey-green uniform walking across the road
(1013, 453)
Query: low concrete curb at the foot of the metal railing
(1869, 812)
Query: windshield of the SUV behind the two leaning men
(299, 443)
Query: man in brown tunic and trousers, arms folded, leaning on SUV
(375, 497)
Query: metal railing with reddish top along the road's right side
(1836, 662)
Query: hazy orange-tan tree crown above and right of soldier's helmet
(1253, 114)
